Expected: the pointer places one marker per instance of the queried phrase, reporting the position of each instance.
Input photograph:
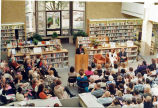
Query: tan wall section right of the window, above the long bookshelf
(96, 10)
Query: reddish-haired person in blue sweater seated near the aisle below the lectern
(82, 81)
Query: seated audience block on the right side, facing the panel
(118, 86)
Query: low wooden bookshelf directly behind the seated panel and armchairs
(132, 52)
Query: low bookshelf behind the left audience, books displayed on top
(58, 58)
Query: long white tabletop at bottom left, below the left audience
(38, 102)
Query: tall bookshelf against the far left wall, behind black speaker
(8, 34)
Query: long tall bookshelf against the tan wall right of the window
(118, 30)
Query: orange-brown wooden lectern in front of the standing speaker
(81, 62)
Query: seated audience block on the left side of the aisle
(32, 79)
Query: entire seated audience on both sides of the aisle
(113, 85)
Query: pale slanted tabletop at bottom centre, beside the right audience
(88, 100)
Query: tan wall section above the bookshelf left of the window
(13, 11)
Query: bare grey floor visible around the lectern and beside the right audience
(71, 48)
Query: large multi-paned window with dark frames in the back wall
(59, 16)
